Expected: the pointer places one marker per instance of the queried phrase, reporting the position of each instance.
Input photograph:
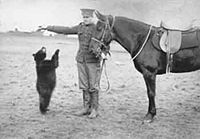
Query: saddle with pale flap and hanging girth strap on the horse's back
(171, 40)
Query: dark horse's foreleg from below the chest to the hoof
(150, 80)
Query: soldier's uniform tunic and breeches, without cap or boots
(88, 64)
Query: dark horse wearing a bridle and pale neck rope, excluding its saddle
(137, 38)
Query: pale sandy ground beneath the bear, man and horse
(121, 111)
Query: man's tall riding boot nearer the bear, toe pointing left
(86, 104)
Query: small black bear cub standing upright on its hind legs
(46, 77)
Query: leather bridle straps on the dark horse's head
(107, 27)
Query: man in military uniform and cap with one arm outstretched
(89, 69)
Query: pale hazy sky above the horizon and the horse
(27, 15)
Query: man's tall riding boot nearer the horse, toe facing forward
(94, 105)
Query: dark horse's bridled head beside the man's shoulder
(102, 35)
